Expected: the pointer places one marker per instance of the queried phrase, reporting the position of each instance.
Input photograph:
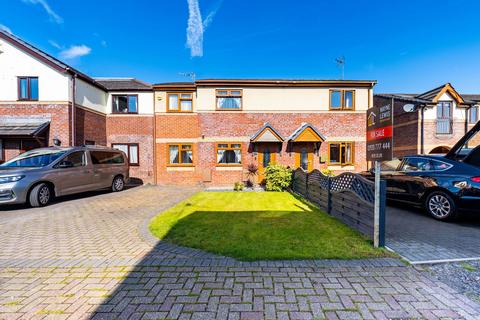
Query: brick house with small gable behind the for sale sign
(435, 120)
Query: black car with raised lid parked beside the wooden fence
(443, 185)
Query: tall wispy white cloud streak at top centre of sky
(196, 27)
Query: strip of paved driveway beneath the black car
(421, 239)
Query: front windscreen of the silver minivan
(35, 158)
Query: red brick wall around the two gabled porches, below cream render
(204, 130)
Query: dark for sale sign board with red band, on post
(380, 133)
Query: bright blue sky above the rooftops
(407, 46)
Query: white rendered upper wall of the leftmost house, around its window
(53, 86)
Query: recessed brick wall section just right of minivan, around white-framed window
(134, 129)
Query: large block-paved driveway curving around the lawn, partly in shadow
(93, 258)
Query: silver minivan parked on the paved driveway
(38, 175)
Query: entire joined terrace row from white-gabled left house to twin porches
(209, 131)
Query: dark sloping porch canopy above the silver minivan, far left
(23, 129)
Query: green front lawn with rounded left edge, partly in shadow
(260, 225)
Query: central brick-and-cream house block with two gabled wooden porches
(212, 131)
